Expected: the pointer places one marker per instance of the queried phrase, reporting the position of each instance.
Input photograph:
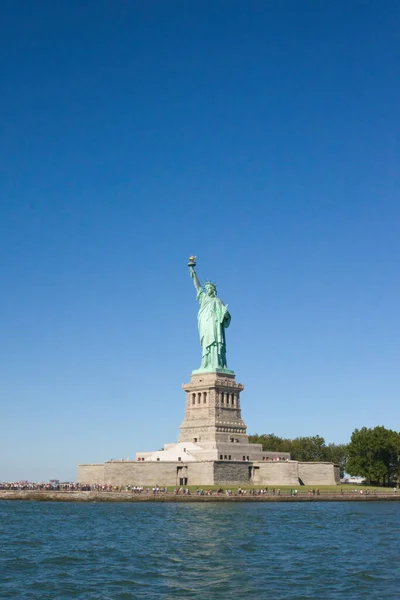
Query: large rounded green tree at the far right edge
(375, 454)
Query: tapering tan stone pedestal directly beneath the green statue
(213, 411)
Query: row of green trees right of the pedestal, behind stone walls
(373, 453)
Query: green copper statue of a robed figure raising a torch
(213, 318)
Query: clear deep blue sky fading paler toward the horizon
(262, 137)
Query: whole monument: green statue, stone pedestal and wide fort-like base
(213, 447)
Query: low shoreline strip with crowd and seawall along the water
(95, 496)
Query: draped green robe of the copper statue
(213, 318)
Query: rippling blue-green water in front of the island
(204, 551)
